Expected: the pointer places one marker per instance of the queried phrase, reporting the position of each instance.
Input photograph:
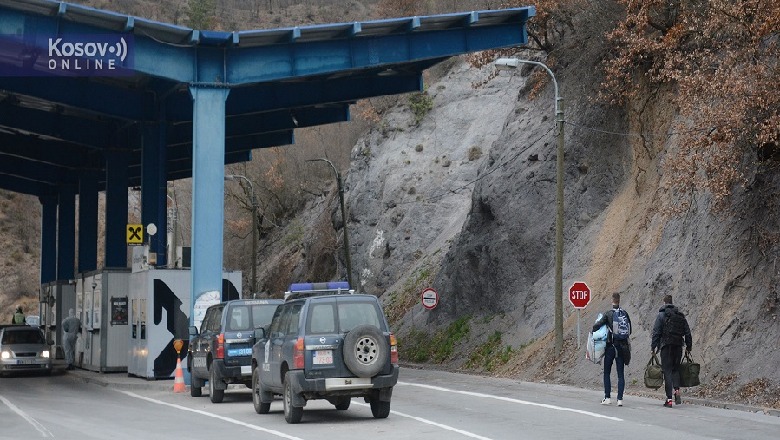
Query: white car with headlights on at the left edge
(23, 349)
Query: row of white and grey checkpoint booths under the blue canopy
(130, 317)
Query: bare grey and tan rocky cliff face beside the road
(482, 232)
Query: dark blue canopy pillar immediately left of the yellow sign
(116, 209)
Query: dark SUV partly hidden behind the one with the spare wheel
(221, 353)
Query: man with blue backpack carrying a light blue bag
(618, 348)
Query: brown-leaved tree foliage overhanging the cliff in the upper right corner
(722, 55)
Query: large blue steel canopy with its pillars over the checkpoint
(92, 100)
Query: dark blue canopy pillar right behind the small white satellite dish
(154, 188)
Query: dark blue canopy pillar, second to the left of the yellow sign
(88, 212)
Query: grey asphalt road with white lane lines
(428, 405)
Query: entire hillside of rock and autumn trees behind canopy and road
(671, 187)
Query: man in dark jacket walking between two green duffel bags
(670, 333)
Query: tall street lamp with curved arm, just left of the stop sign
(512, 63)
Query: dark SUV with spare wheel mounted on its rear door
(325, 343)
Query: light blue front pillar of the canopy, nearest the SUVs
(208, 190)
